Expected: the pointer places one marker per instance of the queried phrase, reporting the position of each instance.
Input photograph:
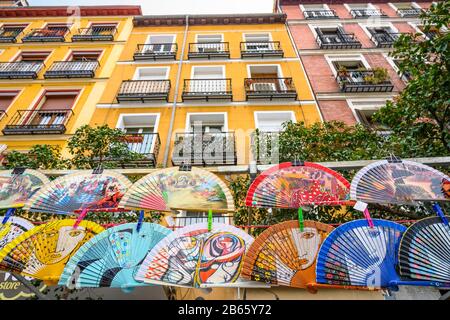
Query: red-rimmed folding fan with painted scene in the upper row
(289, 185)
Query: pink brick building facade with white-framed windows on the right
(344, 46)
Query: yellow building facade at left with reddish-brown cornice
(54, 66)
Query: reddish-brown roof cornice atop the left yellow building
(66, 11)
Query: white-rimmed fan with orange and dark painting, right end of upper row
(399, 182)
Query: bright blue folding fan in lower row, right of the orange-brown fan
(355, 254)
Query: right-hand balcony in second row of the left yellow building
(72, 69)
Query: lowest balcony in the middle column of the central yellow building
(216, 148)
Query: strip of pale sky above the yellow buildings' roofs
(168, 7)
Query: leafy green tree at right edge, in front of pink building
(420, 116)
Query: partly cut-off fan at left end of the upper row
(18, 185)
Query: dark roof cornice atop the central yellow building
(180, 20)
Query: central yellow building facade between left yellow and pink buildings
(193, 89)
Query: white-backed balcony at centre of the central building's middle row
(207, 89)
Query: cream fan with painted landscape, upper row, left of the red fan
(171, 189)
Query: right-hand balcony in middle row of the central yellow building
(269, 88)
